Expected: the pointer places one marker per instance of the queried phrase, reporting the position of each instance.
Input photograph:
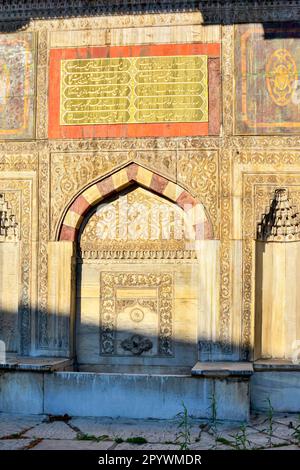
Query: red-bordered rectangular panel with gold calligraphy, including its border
(158, 90)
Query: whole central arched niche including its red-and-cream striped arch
(137, 303)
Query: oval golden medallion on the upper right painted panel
(281, 74)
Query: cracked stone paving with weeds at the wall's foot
(280, 431)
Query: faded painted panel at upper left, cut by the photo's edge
(17, 89)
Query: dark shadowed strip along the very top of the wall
(16, 16)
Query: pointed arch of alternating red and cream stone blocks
(123, 178)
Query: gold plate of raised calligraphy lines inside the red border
(134, 90)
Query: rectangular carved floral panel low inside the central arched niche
(161, 285)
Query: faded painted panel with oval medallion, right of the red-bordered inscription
(267, 68)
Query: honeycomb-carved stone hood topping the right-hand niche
(281, 222)
